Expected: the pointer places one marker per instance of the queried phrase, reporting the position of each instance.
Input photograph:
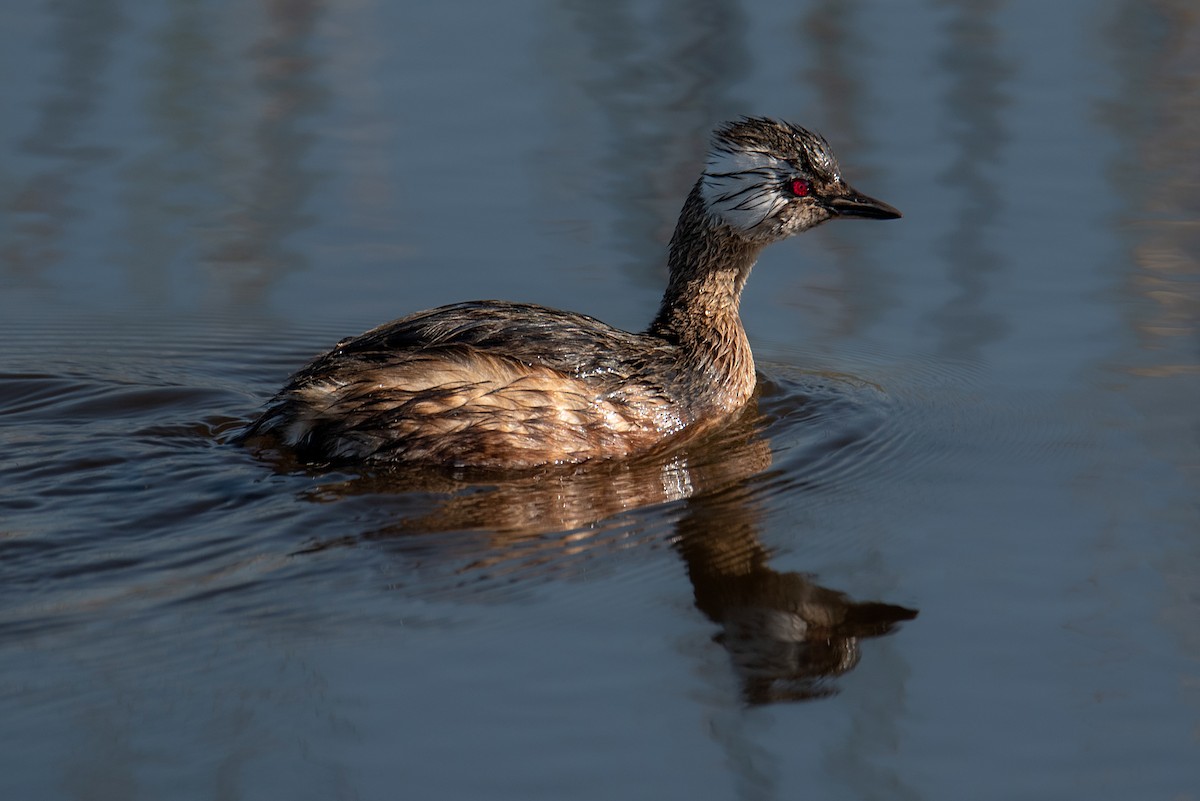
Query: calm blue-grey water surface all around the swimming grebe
(988, 412)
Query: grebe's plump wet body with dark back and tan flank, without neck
(484, 384)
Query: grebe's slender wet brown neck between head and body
(709, 266)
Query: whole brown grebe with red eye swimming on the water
(493, 384)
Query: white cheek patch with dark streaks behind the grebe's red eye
(742, 188)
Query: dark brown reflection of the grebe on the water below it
(788, 637)
